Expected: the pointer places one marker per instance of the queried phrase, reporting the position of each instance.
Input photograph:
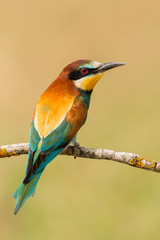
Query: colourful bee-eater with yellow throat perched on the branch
(59, 114)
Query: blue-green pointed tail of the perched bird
(25, 191)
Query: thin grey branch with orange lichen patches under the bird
(102, 154)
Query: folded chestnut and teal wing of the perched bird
(43, 150)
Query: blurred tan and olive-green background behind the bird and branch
(82, 198)
